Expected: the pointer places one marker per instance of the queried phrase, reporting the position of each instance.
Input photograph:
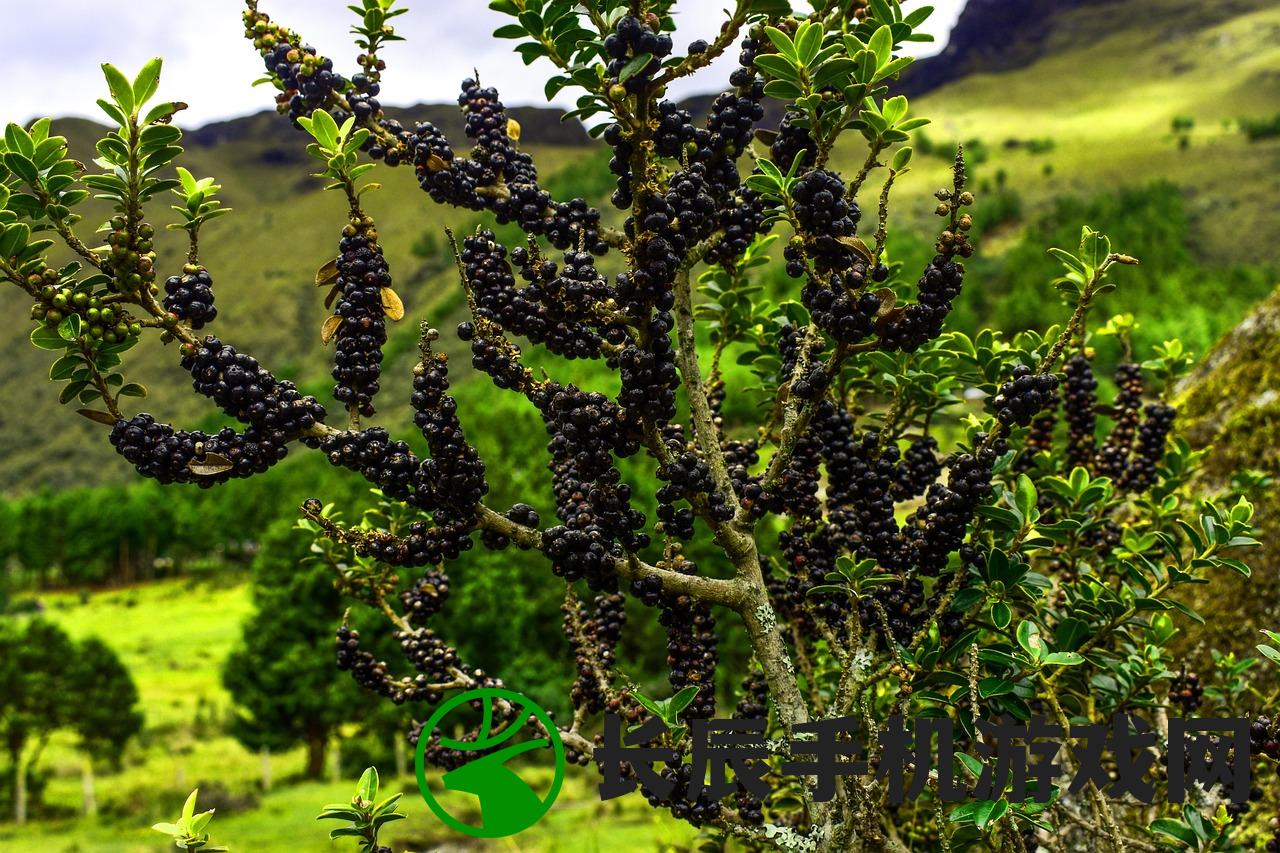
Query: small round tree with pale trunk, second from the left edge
(106, 710)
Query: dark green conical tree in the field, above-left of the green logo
(286, 690)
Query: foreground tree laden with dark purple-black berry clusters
(885, 548)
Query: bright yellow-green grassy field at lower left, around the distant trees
(175, 636)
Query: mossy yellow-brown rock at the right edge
(1231, 407)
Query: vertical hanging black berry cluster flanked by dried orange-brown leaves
(363, 275)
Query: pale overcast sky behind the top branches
(212, 67)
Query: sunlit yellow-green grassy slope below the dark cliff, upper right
(1108, 107)
